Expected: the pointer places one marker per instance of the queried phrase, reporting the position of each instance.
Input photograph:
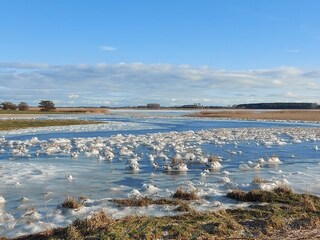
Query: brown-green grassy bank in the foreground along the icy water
(284, 213)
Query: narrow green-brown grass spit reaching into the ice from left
(27, 123)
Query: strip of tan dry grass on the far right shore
(299, 115)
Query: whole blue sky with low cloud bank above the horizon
(173, 52)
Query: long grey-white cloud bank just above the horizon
(135, 84)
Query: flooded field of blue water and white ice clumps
(132, 155)
